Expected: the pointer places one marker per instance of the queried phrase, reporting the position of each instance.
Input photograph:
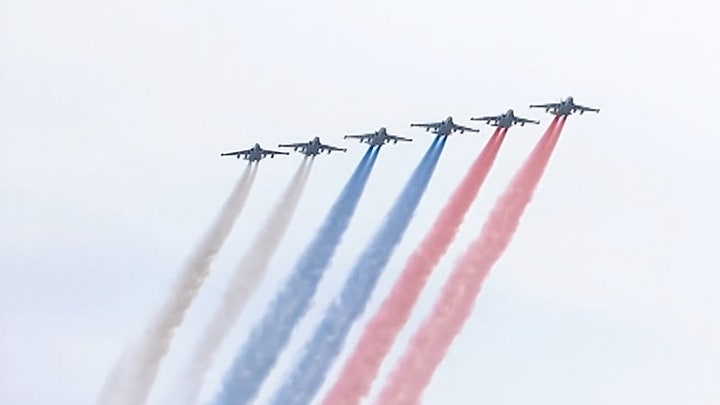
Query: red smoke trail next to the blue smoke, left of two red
(361, 368)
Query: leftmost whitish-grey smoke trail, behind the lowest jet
(133, 376)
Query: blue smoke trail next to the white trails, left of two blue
(266, 341)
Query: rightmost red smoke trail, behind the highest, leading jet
(430, 343)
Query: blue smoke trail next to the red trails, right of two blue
(308, 375)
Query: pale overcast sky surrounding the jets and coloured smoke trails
(113, 115)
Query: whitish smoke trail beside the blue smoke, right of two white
(248, 275)
